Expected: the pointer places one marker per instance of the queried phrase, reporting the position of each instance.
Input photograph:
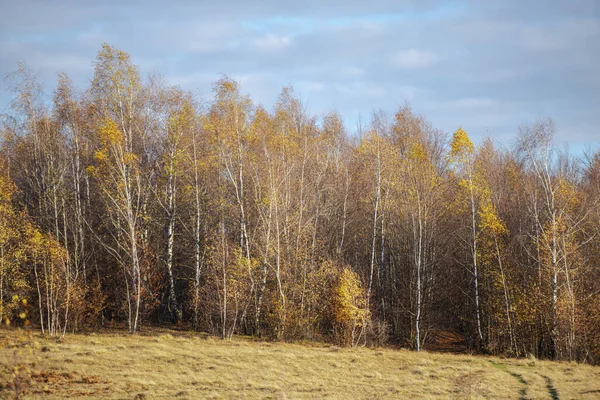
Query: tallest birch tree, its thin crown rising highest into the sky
(116, 88)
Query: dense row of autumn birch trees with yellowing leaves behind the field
(131, 203)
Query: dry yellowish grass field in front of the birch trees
(175, 365)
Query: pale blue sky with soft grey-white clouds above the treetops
(486, 65)
